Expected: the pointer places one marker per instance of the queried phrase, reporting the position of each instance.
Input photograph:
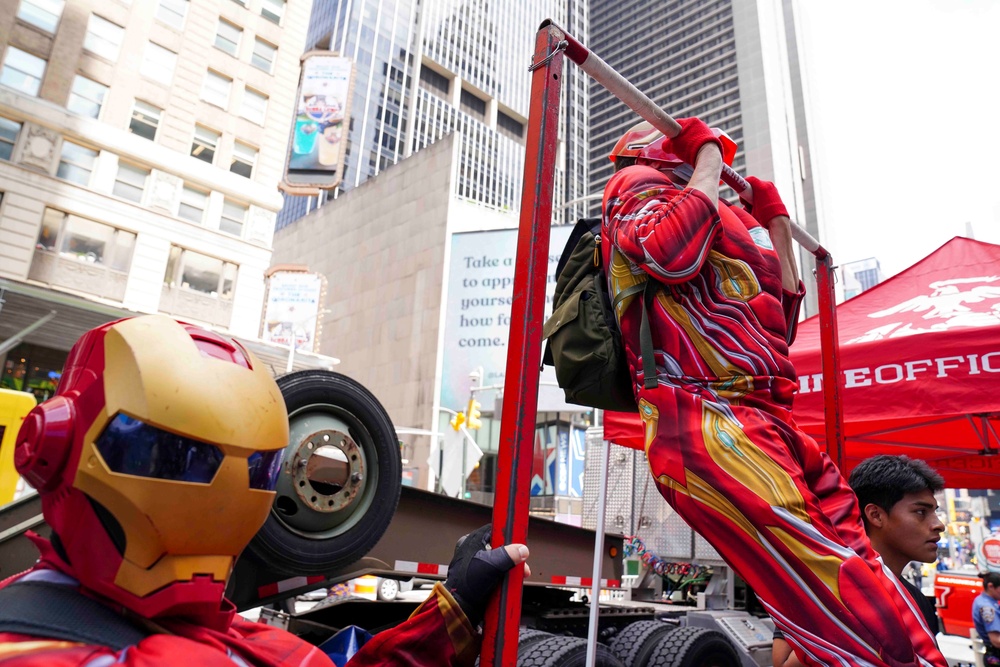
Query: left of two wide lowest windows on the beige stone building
(86, 240)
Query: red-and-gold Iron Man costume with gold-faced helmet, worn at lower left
(153, 484)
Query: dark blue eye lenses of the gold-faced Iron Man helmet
(132, 447)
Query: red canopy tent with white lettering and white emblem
(920, 363)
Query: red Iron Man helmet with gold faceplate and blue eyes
(156, 461)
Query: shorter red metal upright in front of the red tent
(830, 345)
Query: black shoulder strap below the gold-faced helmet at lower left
(60, 611)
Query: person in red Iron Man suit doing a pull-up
(716, 401)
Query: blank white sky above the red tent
(904, 99)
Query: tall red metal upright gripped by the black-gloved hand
(524, 350)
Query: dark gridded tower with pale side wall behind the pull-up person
(733, 63)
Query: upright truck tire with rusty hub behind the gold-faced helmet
(337, 429)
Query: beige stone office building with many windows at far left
(141, 144)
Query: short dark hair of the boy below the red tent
(883, 480)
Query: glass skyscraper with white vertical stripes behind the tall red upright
(424, 68)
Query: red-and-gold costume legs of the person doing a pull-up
(778, 511)
